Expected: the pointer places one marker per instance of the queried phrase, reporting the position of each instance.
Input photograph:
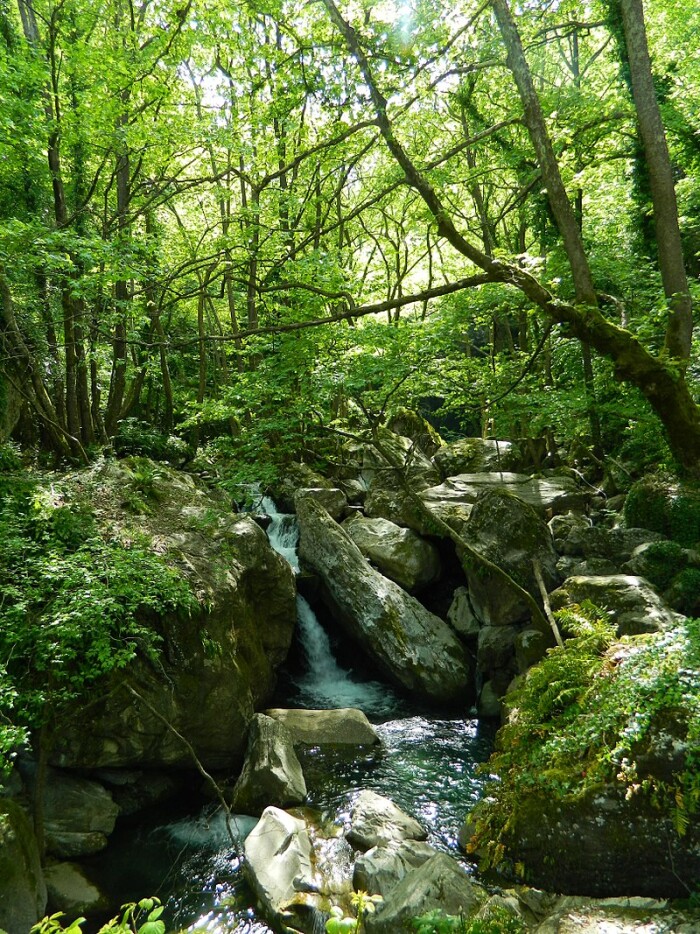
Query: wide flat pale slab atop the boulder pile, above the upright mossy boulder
(547, 495)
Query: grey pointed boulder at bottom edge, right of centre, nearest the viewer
(439, 884)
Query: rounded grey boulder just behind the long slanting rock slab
(400, 554)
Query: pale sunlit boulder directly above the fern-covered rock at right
(633, 605)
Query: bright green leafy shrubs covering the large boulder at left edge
(74, 605)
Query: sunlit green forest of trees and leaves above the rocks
(247, 222)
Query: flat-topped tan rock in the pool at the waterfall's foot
(345, 726)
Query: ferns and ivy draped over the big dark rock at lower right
(587, 713)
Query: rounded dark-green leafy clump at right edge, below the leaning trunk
(664, 505)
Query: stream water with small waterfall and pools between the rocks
(426, 764)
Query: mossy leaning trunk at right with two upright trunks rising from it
(660, 377)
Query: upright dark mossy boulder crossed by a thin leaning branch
(510, 533)
